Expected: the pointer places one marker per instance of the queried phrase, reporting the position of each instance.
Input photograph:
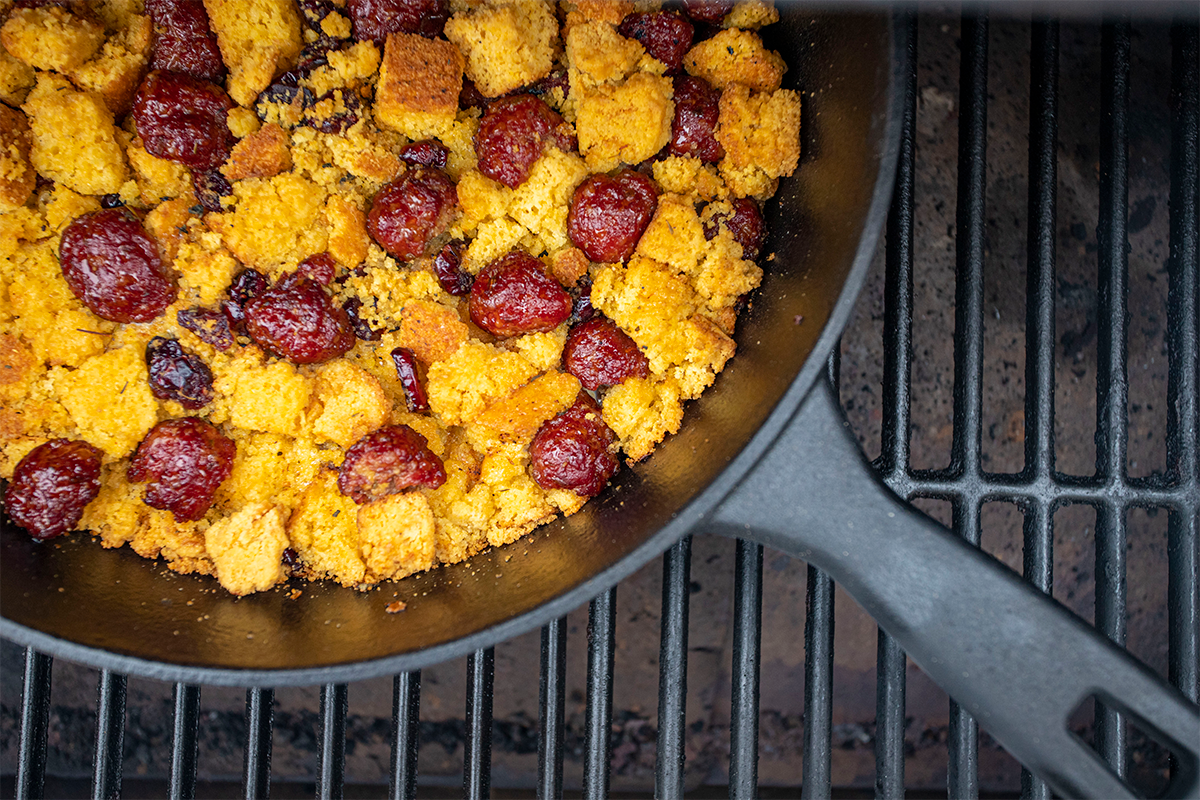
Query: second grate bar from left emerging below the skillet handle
(818, 687)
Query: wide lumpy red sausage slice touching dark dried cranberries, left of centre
(297, 320)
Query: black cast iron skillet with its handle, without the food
(763, 456)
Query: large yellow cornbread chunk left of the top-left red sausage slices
(75, 141)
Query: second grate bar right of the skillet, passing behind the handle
(965, 459)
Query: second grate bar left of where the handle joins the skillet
(602, 643)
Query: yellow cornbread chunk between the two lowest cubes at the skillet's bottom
(325, 533)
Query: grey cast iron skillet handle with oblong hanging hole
(1019, 661)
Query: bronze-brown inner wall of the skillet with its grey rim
(115, 610)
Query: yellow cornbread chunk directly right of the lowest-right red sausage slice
(643, 412)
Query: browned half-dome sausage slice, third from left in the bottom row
(387, 462)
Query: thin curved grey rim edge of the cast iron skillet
(688, 520)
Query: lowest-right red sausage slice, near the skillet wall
(573, 450)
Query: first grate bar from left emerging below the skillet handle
(747, 654)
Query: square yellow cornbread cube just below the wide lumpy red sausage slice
(259, 396)
